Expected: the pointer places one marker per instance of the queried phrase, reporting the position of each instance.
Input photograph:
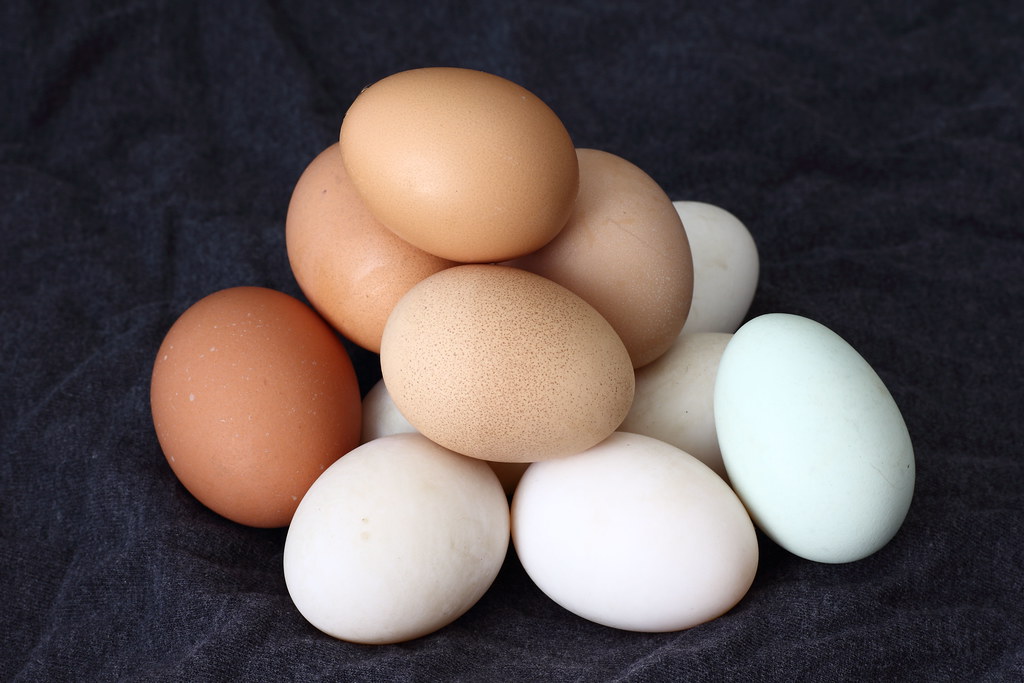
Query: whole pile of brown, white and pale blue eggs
(564, 369)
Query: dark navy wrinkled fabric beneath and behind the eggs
(148, 153)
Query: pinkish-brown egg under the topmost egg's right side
(624, 250)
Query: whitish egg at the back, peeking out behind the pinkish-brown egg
(726, 268)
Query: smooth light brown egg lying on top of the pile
(460, 163)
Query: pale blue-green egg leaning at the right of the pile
(813, 441)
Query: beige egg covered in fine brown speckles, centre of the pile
(503, 365)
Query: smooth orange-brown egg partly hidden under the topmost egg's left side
(352, 269)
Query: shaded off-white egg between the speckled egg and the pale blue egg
(675, 396)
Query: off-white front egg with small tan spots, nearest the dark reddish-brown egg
(395, 541)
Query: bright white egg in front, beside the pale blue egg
(634, 534)
